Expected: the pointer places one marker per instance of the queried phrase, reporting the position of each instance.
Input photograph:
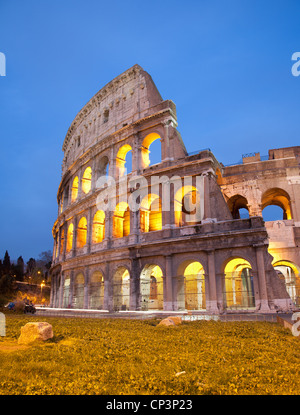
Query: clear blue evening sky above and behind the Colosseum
(225, 64)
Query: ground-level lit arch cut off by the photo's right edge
(290, 274)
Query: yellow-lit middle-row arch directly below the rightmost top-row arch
(150, 213)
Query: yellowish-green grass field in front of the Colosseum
(94, 356)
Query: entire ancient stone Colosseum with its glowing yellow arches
(143, 225)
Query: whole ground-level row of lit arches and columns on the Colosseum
(204, 282)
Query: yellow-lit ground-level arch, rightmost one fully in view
(238, 288)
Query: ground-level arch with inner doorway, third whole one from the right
(151, 288)
